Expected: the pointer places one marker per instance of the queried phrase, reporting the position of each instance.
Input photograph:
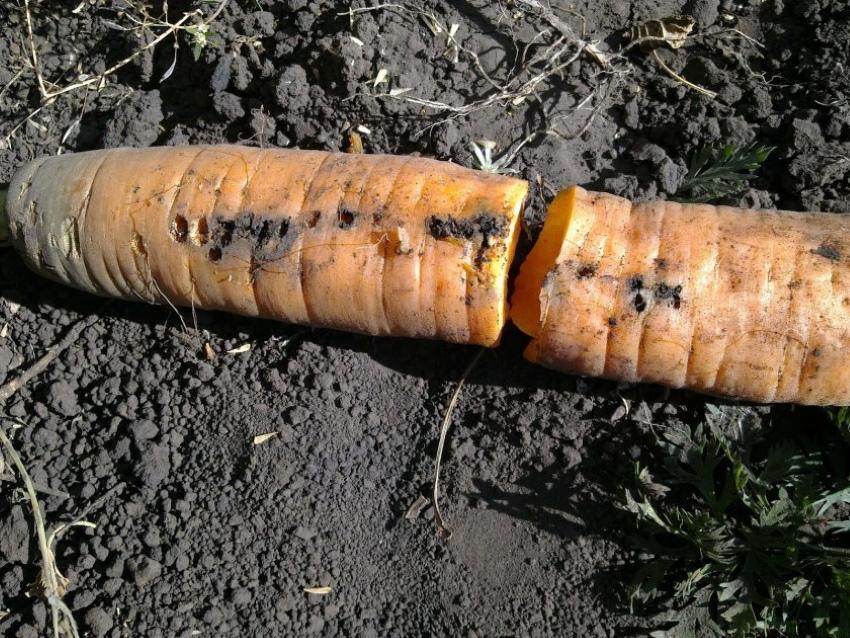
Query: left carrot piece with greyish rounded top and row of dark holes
(375, 244)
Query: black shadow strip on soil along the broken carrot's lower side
(436, 361)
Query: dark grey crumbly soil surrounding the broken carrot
(201, 532)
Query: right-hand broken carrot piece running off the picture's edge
(749, 304)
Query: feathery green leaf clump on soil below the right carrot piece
(755, 534)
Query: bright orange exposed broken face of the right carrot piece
(525, 302)
